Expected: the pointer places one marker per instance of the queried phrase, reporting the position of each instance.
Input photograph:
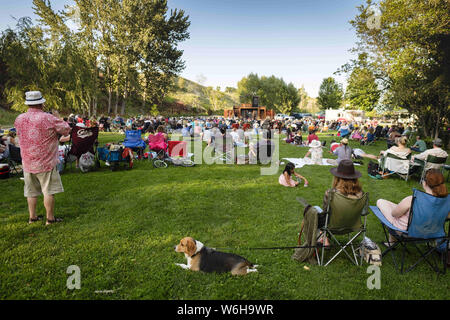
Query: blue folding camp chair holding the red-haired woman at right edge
(426, 225)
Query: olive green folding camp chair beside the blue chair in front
(343, 217)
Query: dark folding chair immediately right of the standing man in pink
(82, 140)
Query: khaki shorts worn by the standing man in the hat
(46, 183)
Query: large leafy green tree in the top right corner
(409, 47)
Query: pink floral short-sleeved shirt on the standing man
(38, 134)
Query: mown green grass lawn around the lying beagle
(120, 228)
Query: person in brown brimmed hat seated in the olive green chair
(346, 183)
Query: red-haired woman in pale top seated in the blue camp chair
(398, 214)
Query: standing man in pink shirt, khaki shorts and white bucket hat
(38, 133)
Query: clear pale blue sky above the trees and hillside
(301, 41)
